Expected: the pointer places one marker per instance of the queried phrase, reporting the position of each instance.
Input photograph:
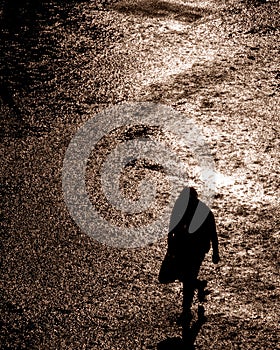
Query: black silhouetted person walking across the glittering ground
(192, 230)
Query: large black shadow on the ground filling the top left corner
(21, 44)
